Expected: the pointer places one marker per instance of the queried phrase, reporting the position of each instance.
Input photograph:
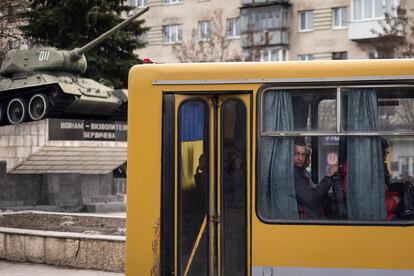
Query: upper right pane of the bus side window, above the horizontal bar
(394, 108)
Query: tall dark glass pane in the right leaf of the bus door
(234, 236)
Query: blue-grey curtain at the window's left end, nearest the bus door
(277, 190)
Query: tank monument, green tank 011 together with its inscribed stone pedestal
(61, 135)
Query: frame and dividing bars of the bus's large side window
(338, 85)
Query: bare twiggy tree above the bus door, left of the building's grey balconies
(214, 49)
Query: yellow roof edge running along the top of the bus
(288, 71)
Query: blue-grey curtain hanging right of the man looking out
(365, 174)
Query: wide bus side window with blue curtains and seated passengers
(301, 143)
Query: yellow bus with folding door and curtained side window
(271, 168)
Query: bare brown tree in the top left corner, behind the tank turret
(9, 23)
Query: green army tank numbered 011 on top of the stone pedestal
(45, 82)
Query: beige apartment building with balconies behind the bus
(267, 30)
